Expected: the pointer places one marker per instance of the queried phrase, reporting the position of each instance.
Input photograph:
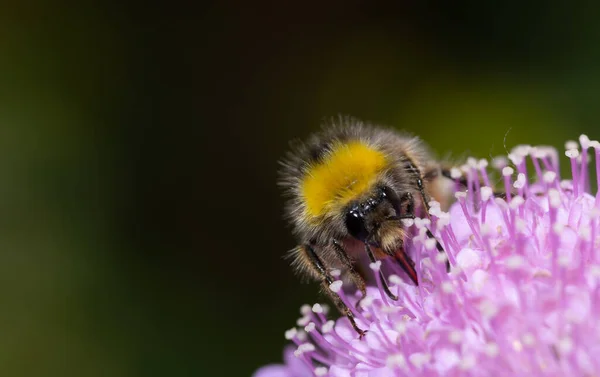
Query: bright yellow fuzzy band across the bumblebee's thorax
(348, 170)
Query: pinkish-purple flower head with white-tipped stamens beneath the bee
(523, 296)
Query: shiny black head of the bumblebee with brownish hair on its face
(376, 219)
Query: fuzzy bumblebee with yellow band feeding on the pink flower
(348, 189)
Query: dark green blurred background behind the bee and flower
(141, 230)
